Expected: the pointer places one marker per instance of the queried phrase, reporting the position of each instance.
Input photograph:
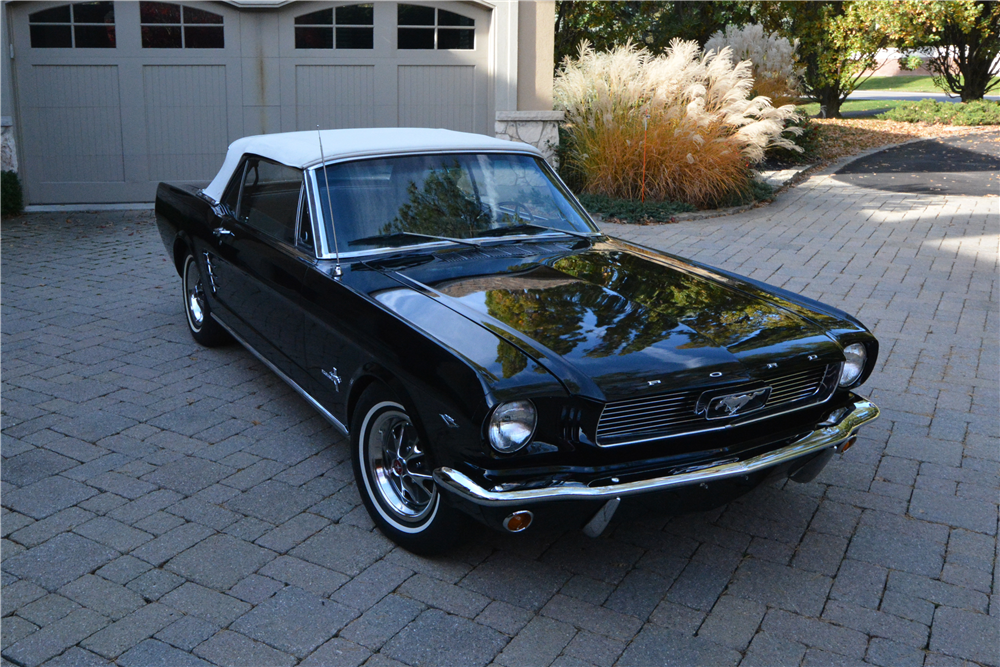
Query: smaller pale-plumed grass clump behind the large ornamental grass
(776, 72)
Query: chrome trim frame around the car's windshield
(323, 247)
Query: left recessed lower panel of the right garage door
(334, 96)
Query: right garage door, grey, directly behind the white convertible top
(386, 64)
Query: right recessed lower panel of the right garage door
(437, 96)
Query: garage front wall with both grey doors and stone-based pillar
(102, 100)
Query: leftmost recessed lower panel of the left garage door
(74, 124)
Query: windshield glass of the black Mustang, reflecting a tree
(415, 199)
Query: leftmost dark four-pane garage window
(84, 25)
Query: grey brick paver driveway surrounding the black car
(169, 505)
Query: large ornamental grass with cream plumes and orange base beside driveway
(676, 127)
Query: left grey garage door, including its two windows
(114, 97)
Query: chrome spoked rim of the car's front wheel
(398, 467)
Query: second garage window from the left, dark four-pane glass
(168, 26)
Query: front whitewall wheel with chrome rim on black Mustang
(393, 474)
